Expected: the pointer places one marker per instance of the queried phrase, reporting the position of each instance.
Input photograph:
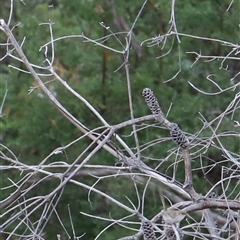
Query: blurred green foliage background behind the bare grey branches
(31, 127)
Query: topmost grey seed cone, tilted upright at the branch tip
(153, 104)
